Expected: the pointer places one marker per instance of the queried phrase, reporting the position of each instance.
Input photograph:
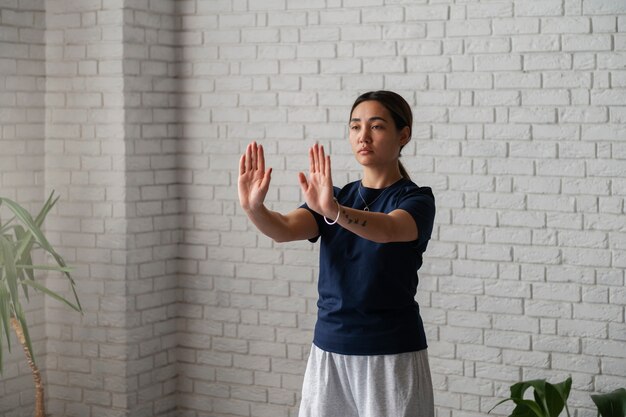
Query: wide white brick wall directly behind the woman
(519, 124)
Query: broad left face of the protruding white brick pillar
(85, 163)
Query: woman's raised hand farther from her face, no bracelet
(254, 181)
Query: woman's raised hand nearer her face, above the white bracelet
(318, 189)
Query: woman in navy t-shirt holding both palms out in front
(368, 357)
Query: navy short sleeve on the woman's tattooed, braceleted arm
(419, 202)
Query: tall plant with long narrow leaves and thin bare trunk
(19, 237)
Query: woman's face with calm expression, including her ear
(374, 138)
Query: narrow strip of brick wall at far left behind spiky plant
(22, 121)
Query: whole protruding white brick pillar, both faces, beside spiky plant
(111, 122)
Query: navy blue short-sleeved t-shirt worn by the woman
(367, 290)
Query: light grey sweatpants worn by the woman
(367, 386)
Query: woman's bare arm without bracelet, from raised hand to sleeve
(253, 185)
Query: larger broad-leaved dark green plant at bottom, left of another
(549, 399)
